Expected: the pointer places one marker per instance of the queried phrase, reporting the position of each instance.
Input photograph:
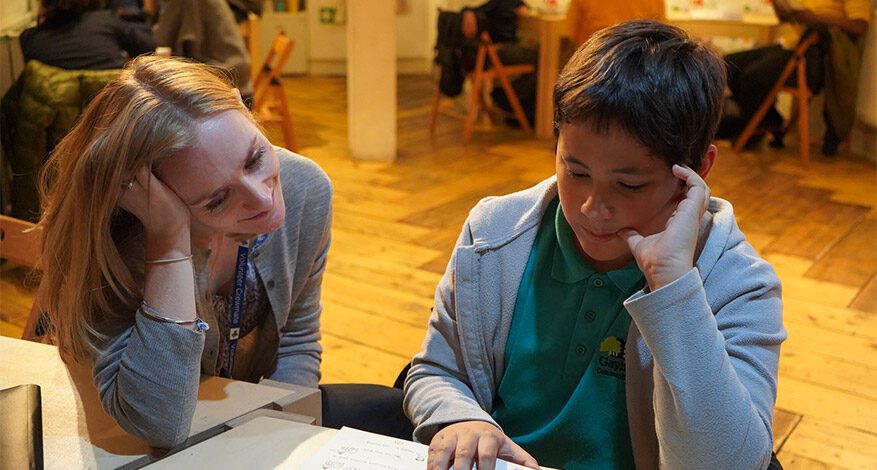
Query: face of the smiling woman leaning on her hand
(230, 179)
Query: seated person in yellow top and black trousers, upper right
(752, 74)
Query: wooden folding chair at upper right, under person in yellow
(797, 64)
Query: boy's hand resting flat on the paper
(468, 442)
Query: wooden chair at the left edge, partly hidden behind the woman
(20, 244)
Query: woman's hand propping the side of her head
(165, 217)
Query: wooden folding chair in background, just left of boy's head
(480, 76)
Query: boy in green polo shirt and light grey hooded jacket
(613, 315)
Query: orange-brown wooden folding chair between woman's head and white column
(269, 99)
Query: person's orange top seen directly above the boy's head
(585, 17)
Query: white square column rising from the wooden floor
(371, 79)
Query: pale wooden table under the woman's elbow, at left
(77, 433)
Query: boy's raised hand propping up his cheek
(667, 255)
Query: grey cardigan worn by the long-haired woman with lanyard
(147, 373)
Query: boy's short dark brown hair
(651, 79)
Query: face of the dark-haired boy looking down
(608, 182)
